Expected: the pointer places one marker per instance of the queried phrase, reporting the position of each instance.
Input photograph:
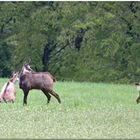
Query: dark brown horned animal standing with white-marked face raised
(28, 80)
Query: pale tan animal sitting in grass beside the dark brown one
(8, 93)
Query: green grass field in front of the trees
(88, 110)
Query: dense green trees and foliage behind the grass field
(84, 41)
